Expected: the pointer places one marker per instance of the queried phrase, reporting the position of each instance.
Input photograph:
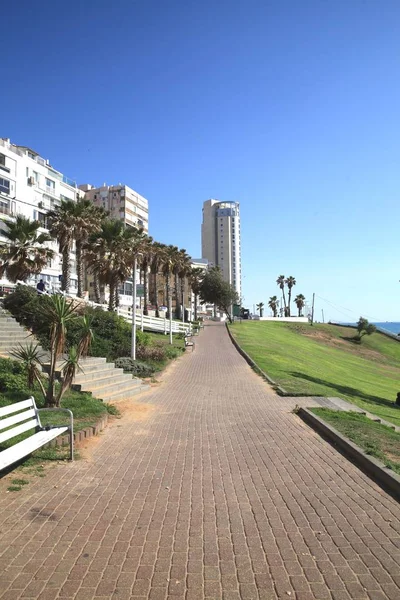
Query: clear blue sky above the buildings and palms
(289, 107)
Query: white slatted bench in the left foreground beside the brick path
(21, 417)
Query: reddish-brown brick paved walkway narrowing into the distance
(221, 493)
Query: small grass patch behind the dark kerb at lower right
(377, 440)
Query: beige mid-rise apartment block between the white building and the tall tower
(122, 203)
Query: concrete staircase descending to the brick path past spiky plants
(102, 379)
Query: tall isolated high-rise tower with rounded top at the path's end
(220, 239)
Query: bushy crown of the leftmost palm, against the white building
(24, 253)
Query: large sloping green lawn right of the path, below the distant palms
(324, 360)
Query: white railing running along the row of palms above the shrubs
(143, 322)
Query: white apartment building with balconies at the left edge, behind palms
(30, 186)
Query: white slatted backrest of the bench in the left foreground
(23, 417)
